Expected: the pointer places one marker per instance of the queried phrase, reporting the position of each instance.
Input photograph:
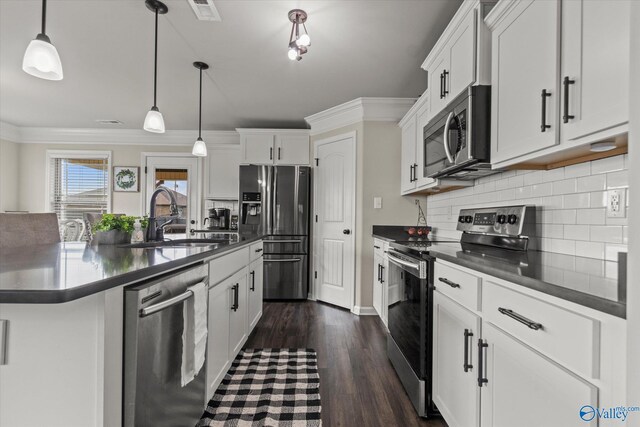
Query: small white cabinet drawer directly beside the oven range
(462, 287)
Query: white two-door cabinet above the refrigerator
(274, 146)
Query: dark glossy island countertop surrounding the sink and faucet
(56, 273)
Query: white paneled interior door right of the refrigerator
(334, 231)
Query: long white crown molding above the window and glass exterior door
(84, 136)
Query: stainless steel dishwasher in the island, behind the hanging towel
(153, 319)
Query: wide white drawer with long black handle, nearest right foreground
(567, 337)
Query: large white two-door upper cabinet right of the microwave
(560, 78)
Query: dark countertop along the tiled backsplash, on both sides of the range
(593, 283)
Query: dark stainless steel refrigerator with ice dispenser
(274, 201)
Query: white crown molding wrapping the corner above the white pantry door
(359, 110)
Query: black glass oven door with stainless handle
(407, 305)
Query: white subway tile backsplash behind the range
(570, 201)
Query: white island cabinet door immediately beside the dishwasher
(218, 338)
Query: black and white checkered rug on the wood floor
(268, 387)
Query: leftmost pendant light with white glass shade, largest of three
(41, 58)
